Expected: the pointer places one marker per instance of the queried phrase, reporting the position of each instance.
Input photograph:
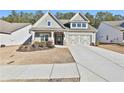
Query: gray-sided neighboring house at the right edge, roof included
(111, 32)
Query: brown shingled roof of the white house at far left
(8, 28)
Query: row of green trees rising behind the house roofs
(25, 17)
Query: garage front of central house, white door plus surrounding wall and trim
(80, 38)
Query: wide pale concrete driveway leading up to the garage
(97, 64)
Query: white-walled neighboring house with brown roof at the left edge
(13, 33)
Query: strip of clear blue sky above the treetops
(93, 12)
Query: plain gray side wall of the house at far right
(114, 35)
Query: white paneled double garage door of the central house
(79, 39)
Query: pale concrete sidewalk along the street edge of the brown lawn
(40, 72)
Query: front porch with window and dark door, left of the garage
(58, 38)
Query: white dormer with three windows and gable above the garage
(79, 21)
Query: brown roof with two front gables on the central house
(64, 23)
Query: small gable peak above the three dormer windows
(78, 17)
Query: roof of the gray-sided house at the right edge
(116, 24)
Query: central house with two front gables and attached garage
(74, 31)
